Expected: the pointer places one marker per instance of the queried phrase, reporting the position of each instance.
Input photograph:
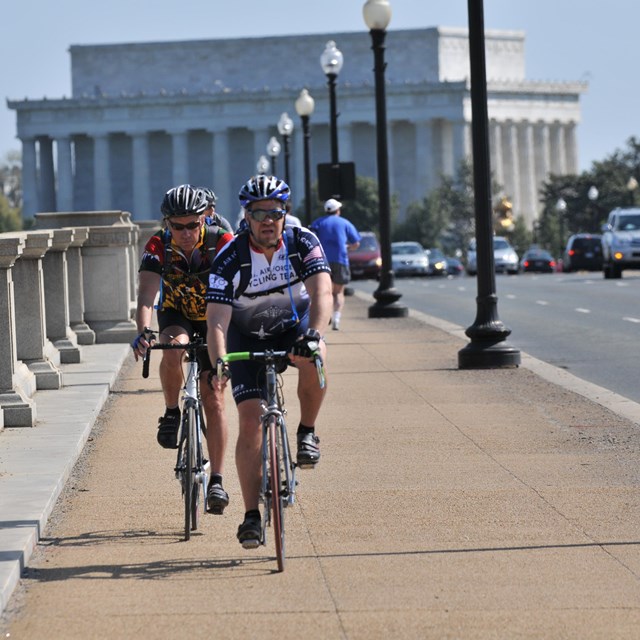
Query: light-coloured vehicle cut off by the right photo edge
(621, 242)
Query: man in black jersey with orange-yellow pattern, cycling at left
(176, 263)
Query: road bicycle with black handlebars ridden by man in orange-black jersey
(191, 467)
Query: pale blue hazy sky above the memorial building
(565, 41)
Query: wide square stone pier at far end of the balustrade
(107, 283)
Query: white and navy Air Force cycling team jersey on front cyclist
(275, 299)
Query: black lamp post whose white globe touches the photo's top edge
(377, 15)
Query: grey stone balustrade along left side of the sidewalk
(69, 282)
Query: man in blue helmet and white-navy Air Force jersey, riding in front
(286, 304)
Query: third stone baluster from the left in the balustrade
(56, 297)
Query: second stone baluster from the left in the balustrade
(32, 345)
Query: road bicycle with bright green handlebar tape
(278, 485)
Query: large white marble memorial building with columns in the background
(146, 116)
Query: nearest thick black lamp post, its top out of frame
(488, 347)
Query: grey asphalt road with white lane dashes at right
(577, 321)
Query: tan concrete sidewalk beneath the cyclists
(448, 504)
